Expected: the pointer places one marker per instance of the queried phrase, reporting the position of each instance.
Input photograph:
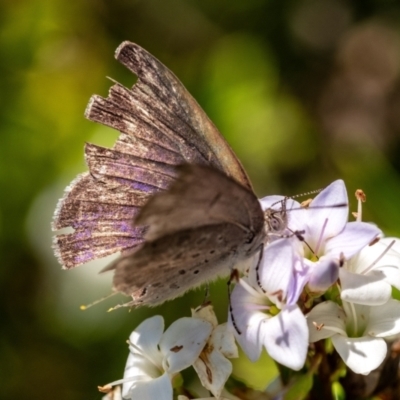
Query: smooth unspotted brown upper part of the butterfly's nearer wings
(200, 196)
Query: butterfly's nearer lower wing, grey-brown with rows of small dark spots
(168, 267)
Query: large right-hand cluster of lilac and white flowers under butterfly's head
(321, 251)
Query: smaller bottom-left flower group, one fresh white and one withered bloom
(156, 357)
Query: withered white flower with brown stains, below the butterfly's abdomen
(212, 366)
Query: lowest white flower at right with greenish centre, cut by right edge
(356, 331)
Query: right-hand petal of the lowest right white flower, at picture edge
(384, 320)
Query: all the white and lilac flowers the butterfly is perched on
(323, 277)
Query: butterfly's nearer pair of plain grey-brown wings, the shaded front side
(202, 225)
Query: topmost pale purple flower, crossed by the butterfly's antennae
(327, 239)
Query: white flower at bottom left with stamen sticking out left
(155, 357)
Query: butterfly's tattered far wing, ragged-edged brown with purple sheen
(161, 126)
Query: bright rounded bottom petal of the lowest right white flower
(361, 355)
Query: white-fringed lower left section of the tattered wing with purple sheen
(101, 225)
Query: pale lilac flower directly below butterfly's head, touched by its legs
(268, 315)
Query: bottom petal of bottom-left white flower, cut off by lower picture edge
(160, 389)
